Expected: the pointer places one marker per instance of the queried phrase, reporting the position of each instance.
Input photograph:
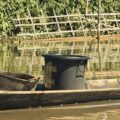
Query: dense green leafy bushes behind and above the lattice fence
(9, 9)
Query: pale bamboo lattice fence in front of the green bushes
(84, 22)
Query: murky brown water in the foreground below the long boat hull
(95, 111)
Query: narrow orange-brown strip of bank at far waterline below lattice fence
(71, 39)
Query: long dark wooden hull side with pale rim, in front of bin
(24, 99)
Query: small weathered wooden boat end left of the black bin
(17, 81)
